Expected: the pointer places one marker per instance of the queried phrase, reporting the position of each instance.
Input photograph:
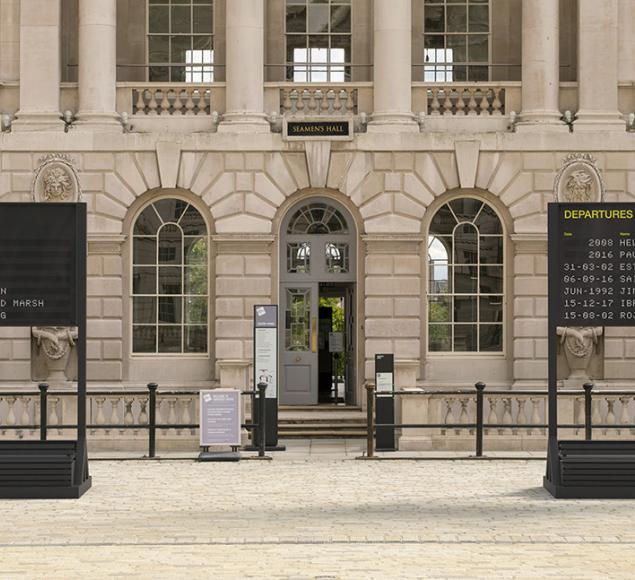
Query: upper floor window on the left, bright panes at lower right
(181, 41)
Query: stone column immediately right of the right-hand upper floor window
(540, 66)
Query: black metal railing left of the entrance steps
(255, 426)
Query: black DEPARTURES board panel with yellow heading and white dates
(594, 245)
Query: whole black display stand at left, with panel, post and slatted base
(43, 283)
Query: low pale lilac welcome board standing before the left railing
(220, 417)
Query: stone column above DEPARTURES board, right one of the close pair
(597, 66)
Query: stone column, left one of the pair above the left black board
(40, 66)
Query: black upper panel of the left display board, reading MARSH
(38, 263)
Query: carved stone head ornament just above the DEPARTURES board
(579, 180)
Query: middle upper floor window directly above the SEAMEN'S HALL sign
(318, 37)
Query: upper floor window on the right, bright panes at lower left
(456, 40)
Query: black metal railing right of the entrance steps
(479, 426)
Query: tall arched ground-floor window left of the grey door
(169, 279)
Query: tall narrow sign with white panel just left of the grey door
(266, 369)
